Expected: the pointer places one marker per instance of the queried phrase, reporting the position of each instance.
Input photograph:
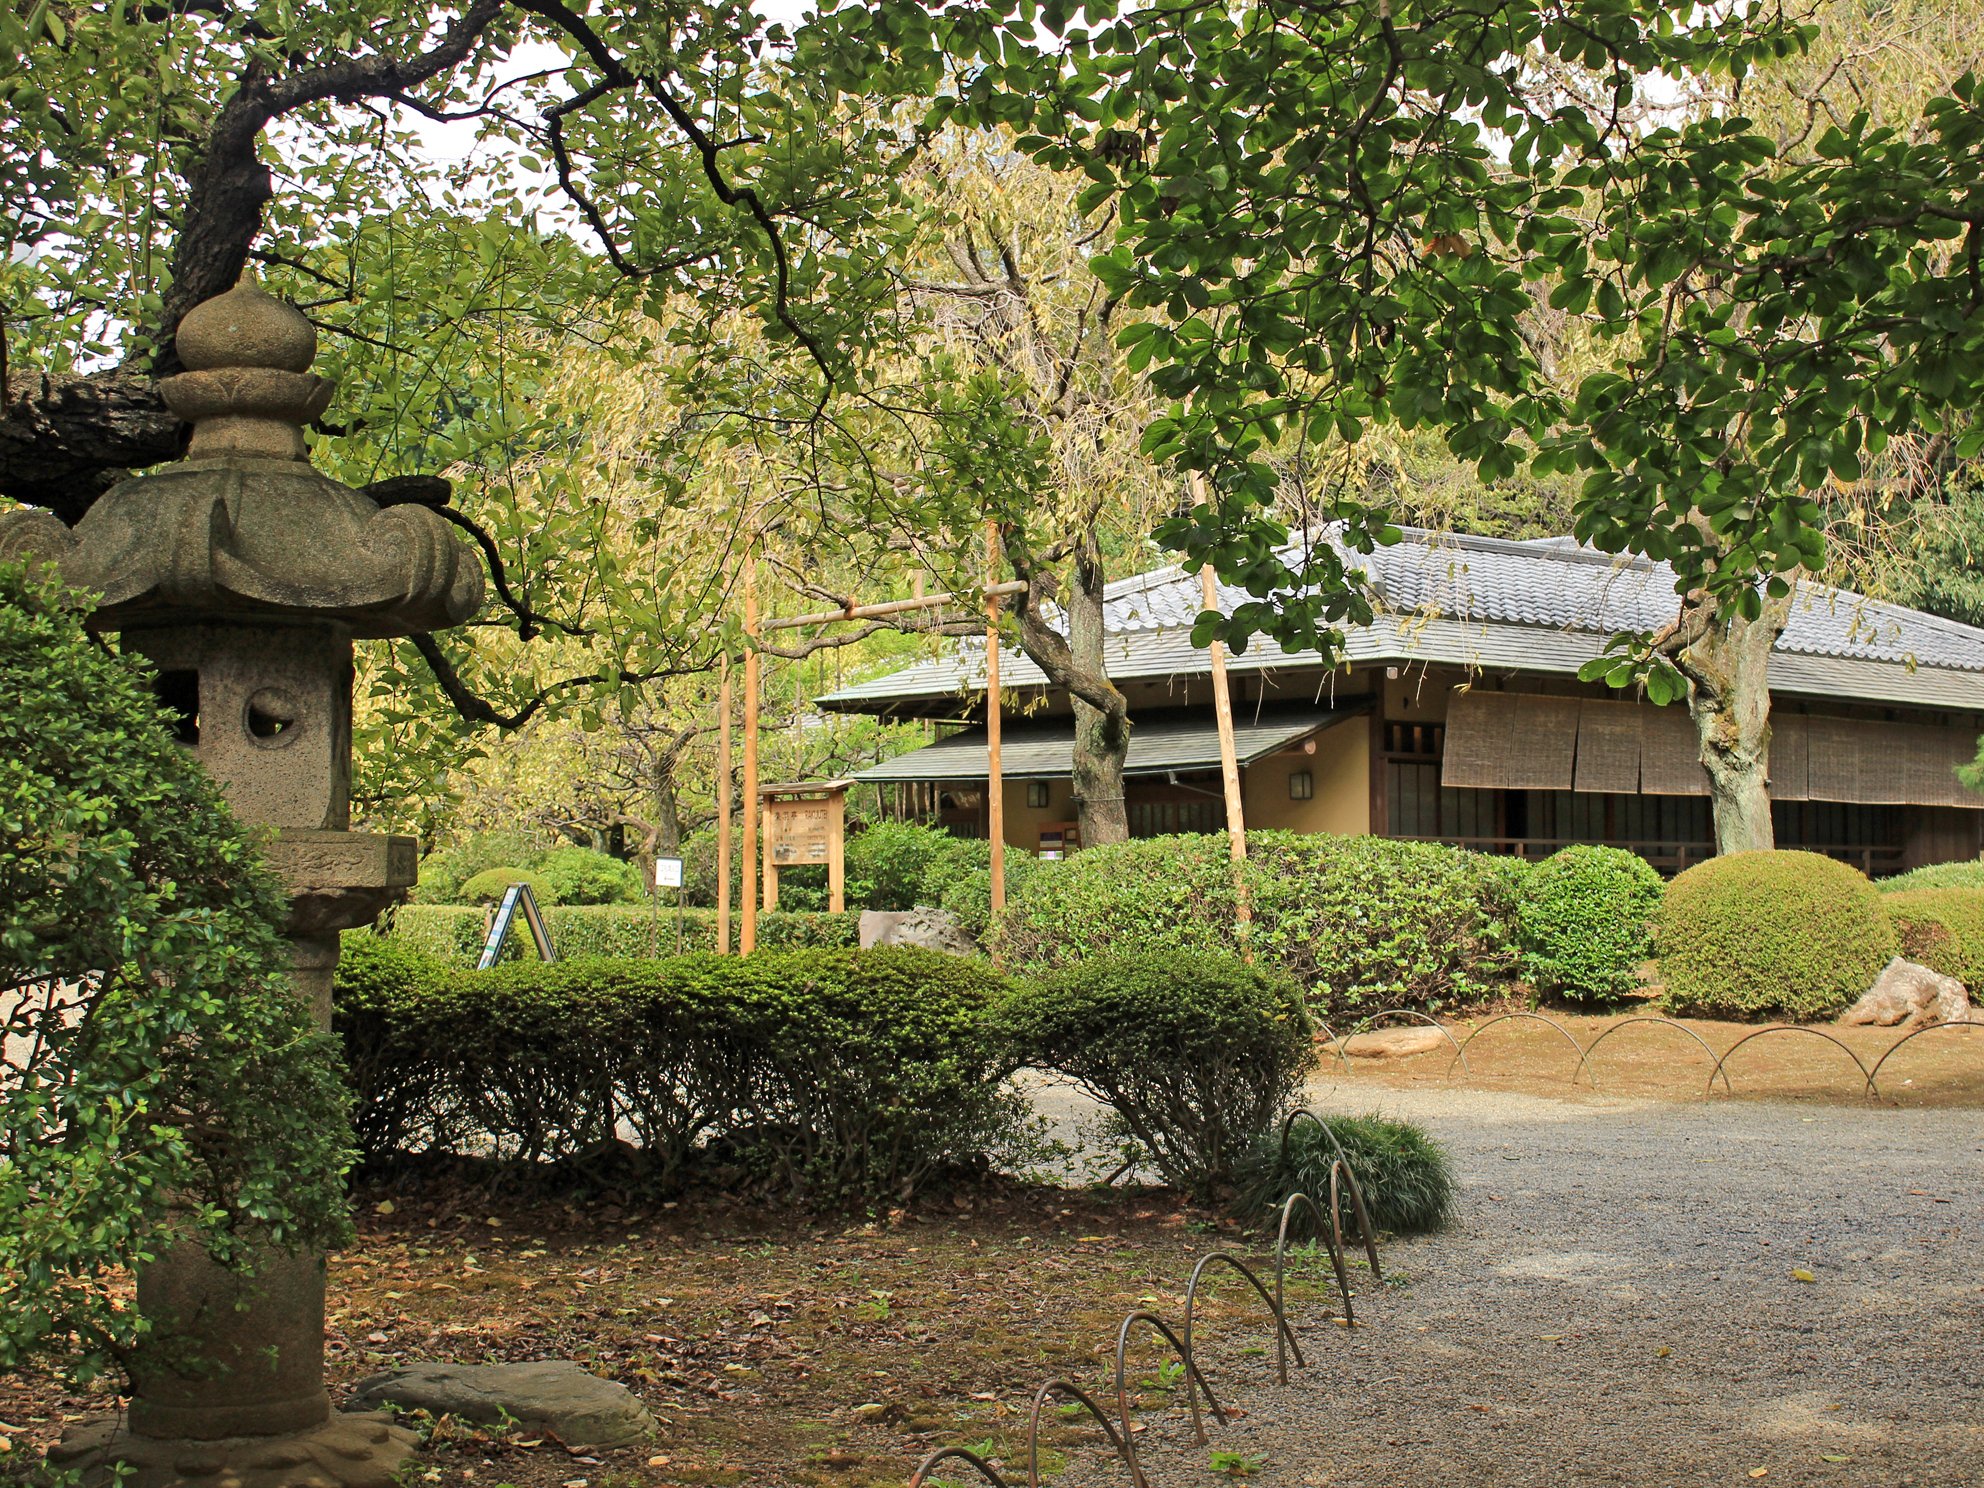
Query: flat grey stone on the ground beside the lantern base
(553, 1396)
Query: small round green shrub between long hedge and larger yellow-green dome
(1584, 920)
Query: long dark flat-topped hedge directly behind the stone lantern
(822, 1074)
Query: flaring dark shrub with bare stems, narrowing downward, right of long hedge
(1197, 1054)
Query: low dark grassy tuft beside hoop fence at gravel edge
(1406, 1178)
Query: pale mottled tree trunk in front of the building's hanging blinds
(1727, 664)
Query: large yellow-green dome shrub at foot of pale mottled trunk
(1771, 935)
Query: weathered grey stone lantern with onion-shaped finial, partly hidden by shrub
(245, 576)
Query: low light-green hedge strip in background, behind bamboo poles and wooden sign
(453, 933)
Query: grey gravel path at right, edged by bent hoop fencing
(1618, 1306)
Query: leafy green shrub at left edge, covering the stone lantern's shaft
(160, 1080)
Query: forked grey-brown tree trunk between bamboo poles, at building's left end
(1078, 666)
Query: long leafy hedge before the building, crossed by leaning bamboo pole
(1360, 922)
